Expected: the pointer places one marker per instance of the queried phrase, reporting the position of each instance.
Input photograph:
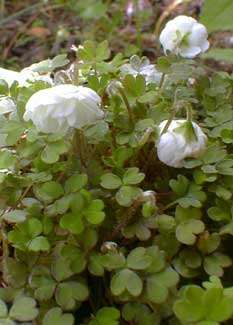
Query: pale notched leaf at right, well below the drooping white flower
(187, 230)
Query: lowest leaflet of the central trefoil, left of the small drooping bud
(126, 195)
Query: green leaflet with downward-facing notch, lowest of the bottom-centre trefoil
(126, 280)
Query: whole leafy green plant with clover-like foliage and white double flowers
(116, 183)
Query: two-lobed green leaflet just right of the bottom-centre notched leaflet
(158, 284)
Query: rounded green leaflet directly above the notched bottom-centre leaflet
(138, 259)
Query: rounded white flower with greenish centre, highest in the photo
(184, 36)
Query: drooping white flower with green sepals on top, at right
(182, 140)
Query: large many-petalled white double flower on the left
(58, 108)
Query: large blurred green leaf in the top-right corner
(216, 15)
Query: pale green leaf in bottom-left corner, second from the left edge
(24, 309)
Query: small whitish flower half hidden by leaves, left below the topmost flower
(141, 66)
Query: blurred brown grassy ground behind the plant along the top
(35, 30)
